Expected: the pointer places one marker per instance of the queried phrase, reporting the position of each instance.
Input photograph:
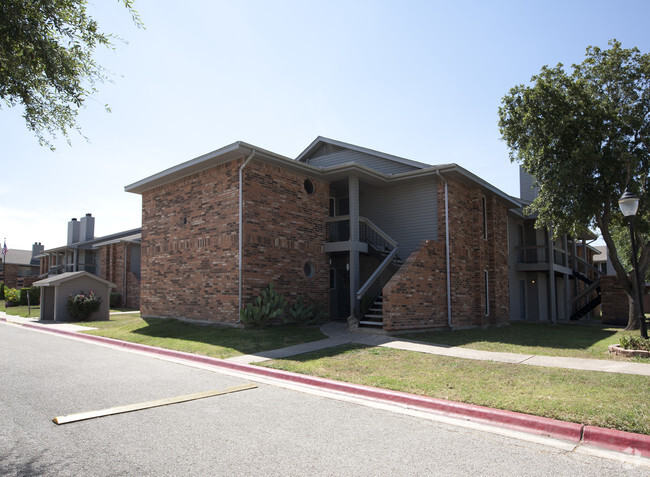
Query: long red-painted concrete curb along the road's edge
(625, 442)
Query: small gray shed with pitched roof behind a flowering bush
(56, 289)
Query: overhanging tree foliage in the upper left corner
(47, 63)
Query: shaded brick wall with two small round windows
(284, 228)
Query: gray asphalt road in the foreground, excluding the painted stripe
(265, 431)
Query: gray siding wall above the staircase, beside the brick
(408, 212)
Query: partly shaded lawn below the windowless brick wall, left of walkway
(208, 340)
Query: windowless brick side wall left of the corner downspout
(189, 247)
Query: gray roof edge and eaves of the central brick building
(240, 150)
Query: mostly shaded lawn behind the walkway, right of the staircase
(571, 340)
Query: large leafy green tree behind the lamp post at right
(585, 137)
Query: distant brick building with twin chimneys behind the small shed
(114, 257)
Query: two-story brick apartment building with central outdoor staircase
(398, 243)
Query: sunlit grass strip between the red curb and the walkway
(594, 398)
